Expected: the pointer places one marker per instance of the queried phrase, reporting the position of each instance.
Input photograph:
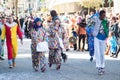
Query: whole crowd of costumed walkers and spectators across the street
(61, 33)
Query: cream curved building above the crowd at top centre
(64, 6)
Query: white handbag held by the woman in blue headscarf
(42, 47)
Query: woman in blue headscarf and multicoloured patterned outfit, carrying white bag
(38, 34)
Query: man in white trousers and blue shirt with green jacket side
(100, 33)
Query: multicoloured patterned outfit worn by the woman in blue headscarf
(38, 58)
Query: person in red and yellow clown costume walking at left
(10, 31)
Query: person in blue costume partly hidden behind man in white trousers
(90, 37)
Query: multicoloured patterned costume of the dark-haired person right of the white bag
(54, 46)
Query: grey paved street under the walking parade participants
(78, 67)
